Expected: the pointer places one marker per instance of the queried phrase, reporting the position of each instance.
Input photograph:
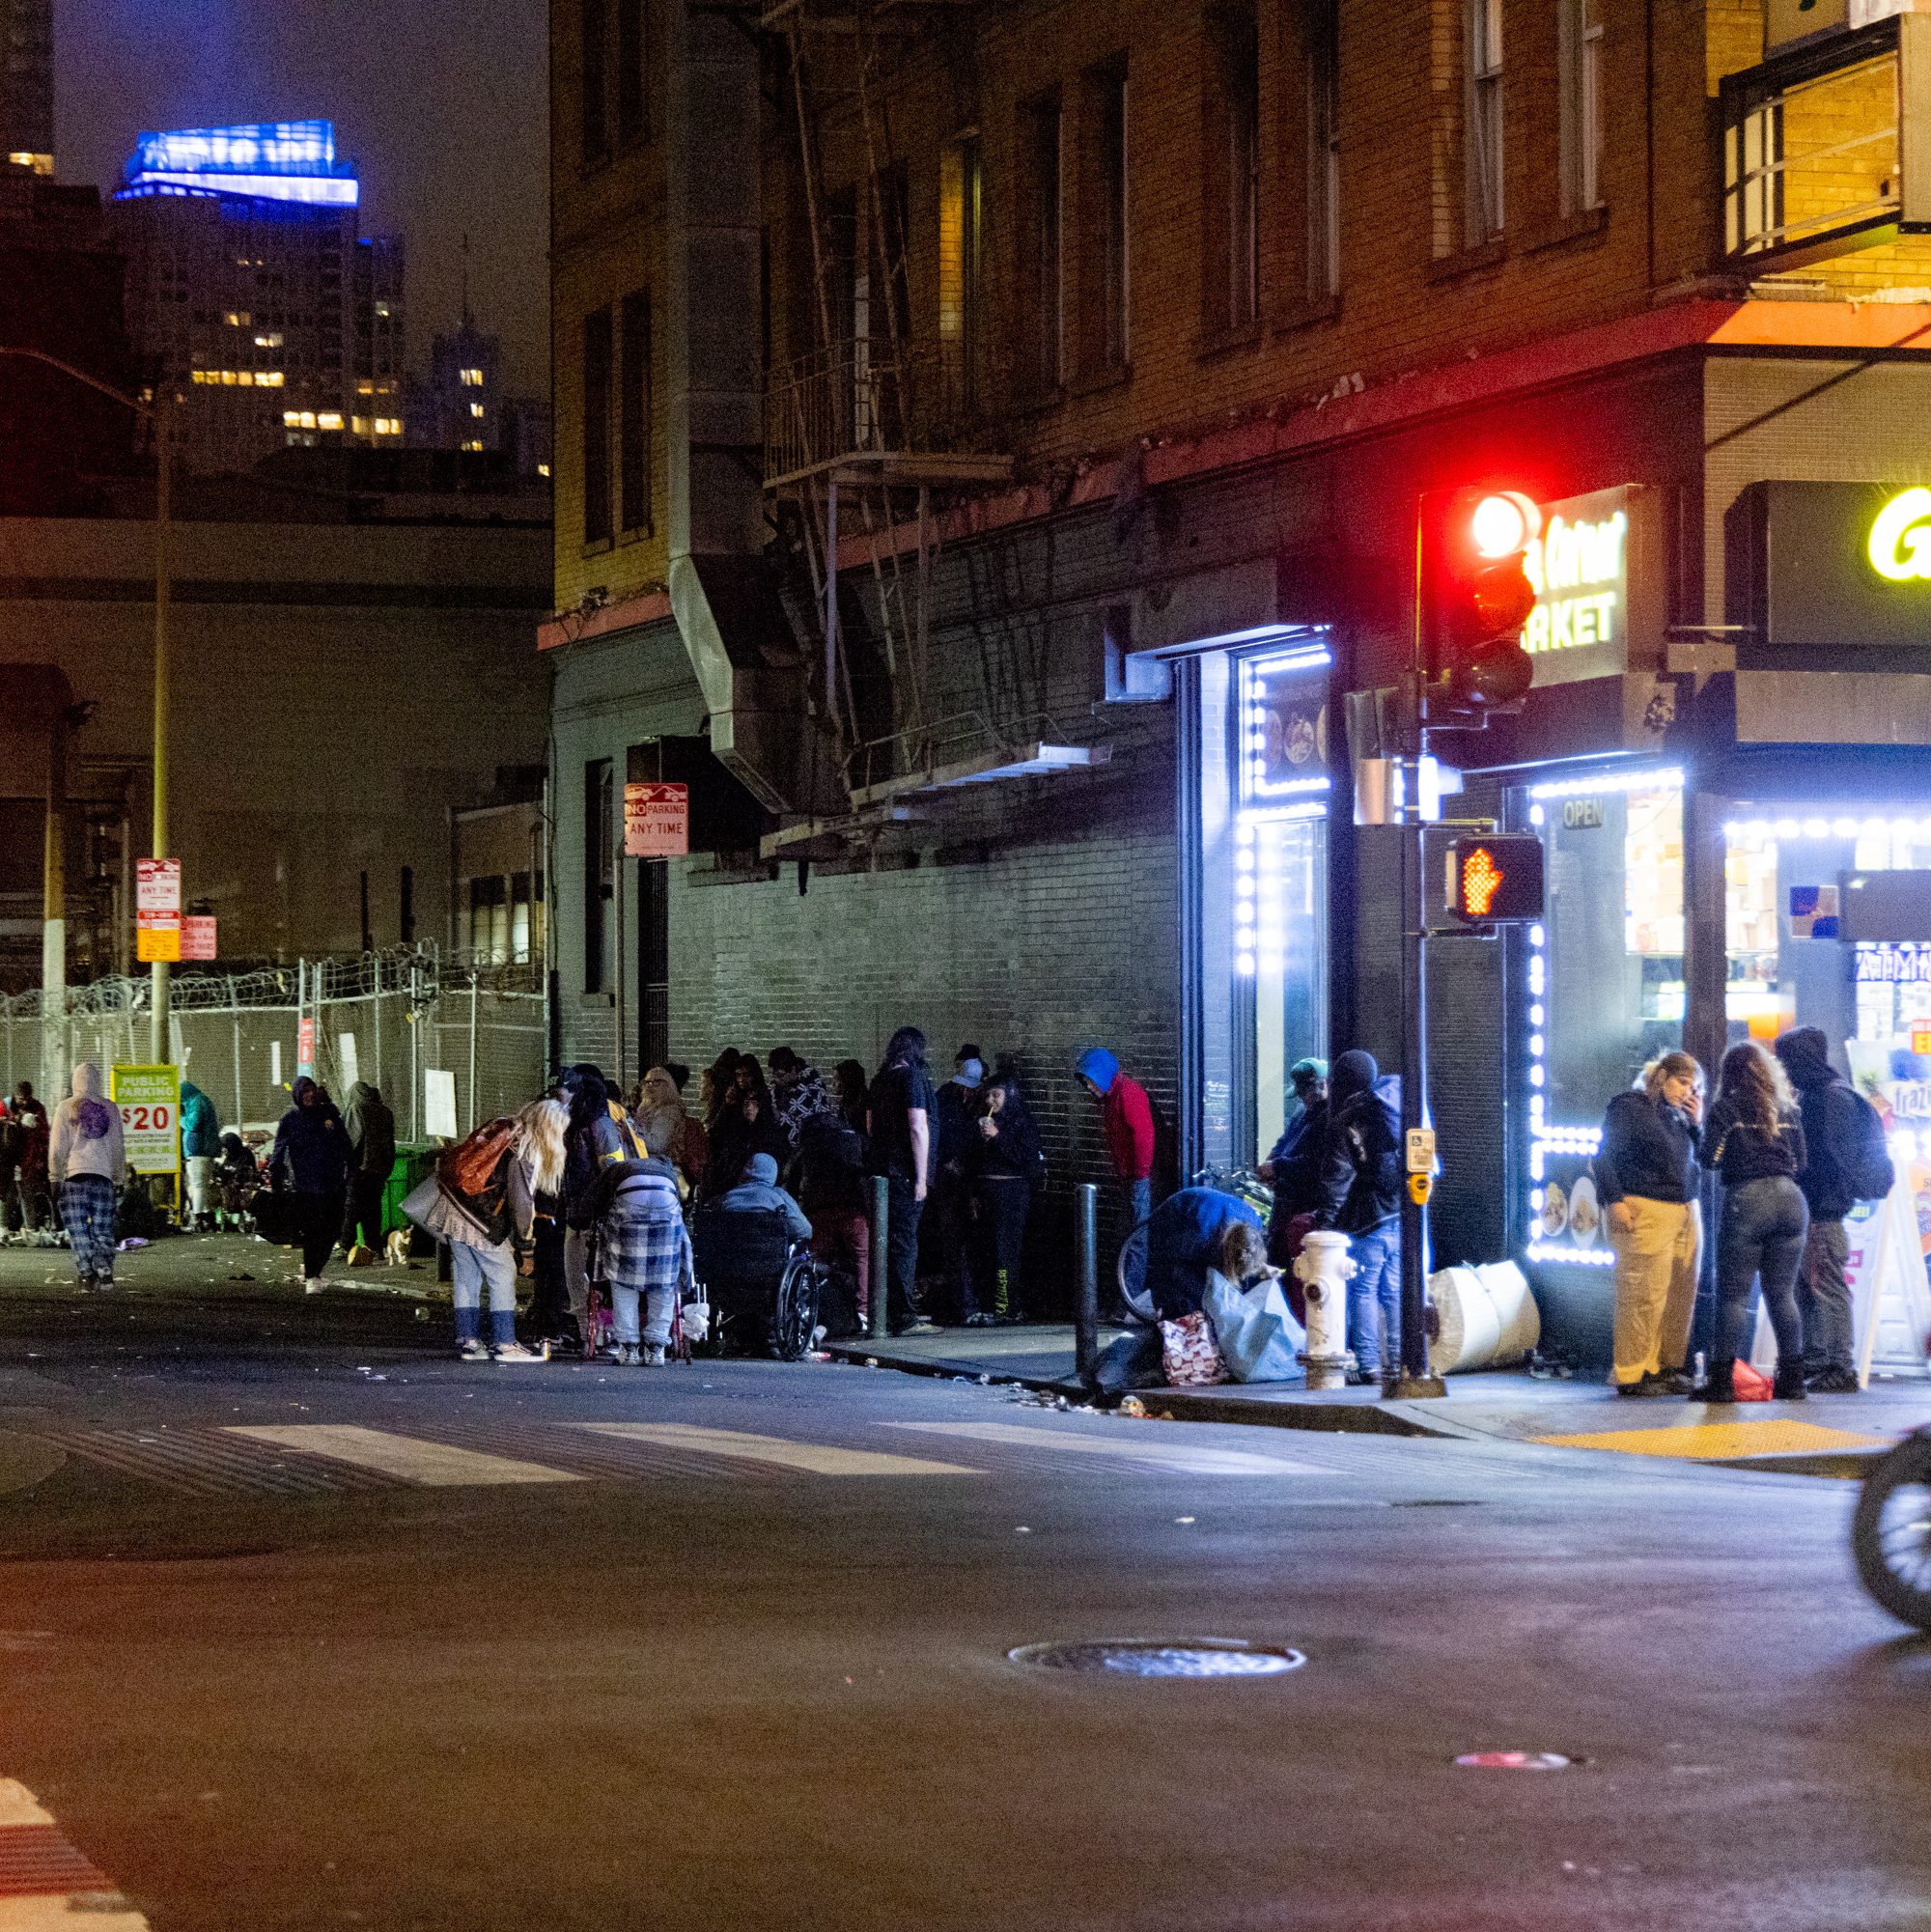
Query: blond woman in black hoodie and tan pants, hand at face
(1646, 1178)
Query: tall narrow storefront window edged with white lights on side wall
(1264, 878)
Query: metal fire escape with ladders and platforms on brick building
(870, 440)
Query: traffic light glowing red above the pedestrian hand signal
(1478, 596)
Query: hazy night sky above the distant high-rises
(443, 103)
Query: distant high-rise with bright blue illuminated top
(254, 289)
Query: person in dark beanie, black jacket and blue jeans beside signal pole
(1360, 1197)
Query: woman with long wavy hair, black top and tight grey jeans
(1756, 1145)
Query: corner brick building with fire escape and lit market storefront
(1125, 341)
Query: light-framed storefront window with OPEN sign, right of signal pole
(1604, 984)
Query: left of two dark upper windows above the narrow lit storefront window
(1231, 169)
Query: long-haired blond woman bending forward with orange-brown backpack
(484, 1205)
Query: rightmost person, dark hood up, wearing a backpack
(1849, 1162)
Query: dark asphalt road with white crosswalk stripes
(576, 1678)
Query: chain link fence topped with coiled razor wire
(389, 1019)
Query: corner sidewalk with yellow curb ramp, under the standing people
(1828, 1435)
